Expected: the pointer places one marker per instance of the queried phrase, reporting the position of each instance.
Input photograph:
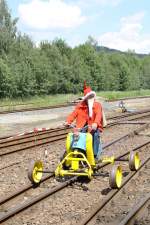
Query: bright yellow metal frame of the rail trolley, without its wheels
(74, 158)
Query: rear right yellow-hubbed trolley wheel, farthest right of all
(134, 161)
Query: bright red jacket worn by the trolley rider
(80, 114)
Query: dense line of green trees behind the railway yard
(54, 67)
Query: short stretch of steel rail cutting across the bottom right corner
(135, 211)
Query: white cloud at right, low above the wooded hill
(129, 36)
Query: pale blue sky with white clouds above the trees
(117, 24)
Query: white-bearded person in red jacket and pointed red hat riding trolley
(89, 112)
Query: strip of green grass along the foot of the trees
(39, 101)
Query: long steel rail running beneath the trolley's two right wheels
(94, 211)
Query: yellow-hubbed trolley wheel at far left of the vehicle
(35, 171)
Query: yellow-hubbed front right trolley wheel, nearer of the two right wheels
(115, 178)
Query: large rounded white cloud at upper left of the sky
(50, 14)
